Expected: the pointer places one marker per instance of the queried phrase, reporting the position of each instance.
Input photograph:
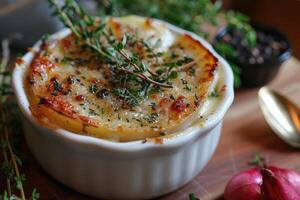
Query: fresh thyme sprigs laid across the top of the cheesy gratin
(134, 79)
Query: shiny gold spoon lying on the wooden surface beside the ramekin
(281, 114)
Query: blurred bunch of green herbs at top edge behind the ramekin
(189, 14)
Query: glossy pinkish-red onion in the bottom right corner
(264, 183)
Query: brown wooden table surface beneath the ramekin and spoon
(244, 134)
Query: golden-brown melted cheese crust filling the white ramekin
(68, 88)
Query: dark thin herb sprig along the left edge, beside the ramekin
(11, 162)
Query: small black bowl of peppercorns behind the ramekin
(256, 74)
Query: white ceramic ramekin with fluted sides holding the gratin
(132, 170)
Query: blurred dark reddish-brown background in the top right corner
(282, 14)
